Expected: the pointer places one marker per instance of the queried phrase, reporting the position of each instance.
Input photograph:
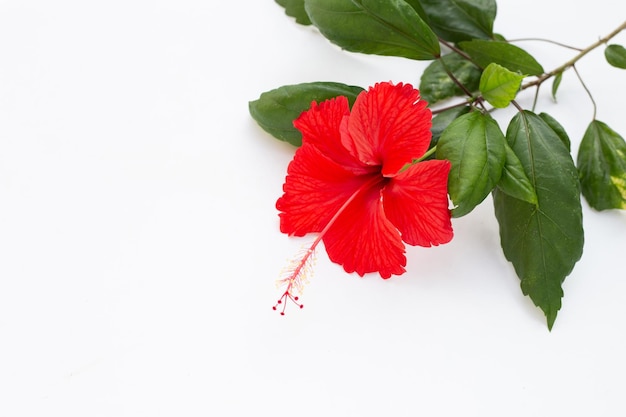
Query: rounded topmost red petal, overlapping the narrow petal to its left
(388, 126)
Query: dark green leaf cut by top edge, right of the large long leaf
(459, 20)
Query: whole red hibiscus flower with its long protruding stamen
(356, 181)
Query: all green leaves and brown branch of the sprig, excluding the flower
(528, 168)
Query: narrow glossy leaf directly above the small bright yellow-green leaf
(511, 57)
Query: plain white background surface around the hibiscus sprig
(139, 242)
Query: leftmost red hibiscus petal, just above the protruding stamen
(314, 190)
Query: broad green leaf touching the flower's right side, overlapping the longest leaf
(474, 145)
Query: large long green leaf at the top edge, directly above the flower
(390, 27)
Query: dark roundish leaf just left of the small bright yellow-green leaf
(436, 84)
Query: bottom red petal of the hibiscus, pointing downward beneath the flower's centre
(363, 240)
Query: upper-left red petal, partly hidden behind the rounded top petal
(320, 126)
